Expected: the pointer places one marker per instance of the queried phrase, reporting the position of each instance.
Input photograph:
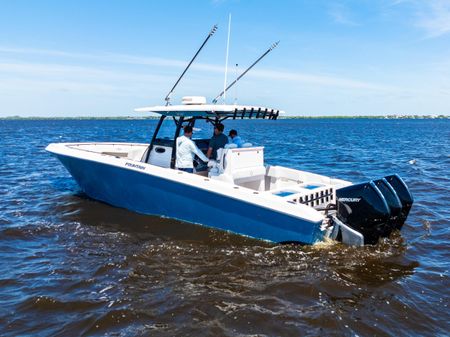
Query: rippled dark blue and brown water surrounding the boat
(73, 266)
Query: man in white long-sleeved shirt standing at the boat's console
(186, 151)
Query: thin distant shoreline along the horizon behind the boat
(284, 117)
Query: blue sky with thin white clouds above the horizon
(108, 57)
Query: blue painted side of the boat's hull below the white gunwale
(148, 194)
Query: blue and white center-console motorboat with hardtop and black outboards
(238, 192)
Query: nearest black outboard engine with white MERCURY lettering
(364, 208)
